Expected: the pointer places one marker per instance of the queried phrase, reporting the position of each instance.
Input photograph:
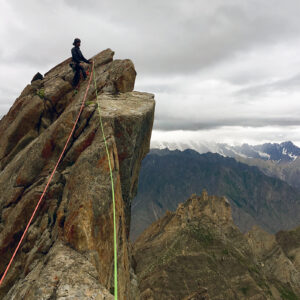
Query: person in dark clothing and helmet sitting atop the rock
(76, 65)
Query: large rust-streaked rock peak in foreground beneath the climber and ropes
(68, 252)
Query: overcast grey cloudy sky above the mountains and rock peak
(221, 70)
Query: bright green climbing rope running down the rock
(112, 189)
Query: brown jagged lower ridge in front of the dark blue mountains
(198, 253)
